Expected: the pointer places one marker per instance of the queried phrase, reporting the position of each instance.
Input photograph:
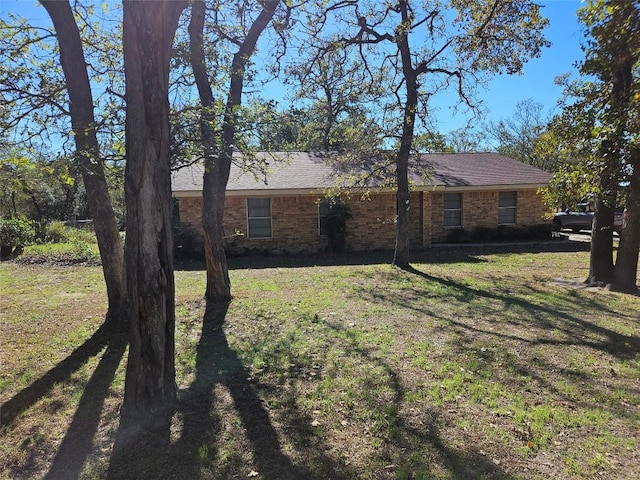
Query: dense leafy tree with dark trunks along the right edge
(608, 104)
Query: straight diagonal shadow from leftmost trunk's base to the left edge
(27, 397)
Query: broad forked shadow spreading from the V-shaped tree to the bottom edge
(192, 450)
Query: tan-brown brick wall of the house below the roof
(295, 220)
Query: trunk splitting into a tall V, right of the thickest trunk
(218, 158)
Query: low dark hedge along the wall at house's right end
(501, 233)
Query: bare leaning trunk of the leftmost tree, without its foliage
(88, 156)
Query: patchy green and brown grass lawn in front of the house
(477, 364)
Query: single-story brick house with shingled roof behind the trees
(284, 213)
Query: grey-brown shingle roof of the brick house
(311, 171)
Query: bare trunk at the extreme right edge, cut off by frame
(626, 269)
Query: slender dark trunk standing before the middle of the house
(401, 253)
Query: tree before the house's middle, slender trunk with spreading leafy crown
(422, 48)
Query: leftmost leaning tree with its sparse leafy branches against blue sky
(47, 99)
